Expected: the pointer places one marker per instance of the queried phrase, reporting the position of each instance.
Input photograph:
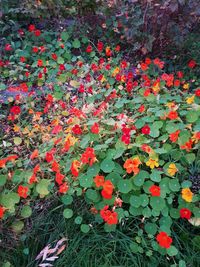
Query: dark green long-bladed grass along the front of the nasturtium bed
(96, 248)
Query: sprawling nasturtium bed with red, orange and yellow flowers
(87, 126)
